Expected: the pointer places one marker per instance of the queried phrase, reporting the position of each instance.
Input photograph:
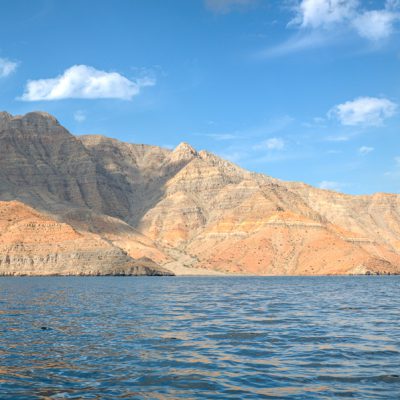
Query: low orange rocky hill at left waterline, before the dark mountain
(32, 243)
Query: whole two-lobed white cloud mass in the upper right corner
(327, 14)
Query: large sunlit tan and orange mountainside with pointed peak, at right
(224, 218)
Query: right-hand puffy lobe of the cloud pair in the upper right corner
(375, 25)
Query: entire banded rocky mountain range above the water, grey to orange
(181, 211)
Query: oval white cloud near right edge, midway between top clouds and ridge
(366, 111)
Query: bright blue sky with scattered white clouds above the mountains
(301, 90)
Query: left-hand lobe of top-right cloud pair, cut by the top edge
(324, 13)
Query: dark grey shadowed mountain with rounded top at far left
(45, 166)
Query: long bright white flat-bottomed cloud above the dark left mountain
(84, 82)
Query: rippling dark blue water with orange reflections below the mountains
(200, 338)
